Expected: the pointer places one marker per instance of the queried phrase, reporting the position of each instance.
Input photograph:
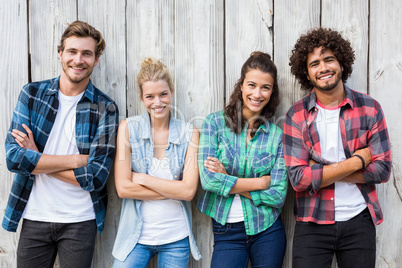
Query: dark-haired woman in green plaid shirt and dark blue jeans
(243, 172)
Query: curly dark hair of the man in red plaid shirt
(320, 37)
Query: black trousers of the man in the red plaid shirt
(353, 242)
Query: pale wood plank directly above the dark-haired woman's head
(248, 28)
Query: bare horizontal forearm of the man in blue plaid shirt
(54, 163)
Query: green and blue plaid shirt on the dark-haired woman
(262, 156)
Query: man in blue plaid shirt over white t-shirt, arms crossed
(61, 145)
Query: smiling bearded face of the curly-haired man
(324, 70)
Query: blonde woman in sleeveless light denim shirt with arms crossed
(156, 174)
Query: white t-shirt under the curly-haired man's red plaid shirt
(348, 199)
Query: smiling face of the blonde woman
(157, 98)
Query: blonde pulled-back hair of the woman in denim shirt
(153, 70)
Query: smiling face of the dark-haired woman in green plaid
(257, 89)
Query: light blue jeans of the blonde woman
(172, 255)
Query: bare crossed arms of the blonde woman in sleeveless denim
(142, 186)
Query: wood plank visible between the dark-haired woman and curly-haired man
(292, 18)
